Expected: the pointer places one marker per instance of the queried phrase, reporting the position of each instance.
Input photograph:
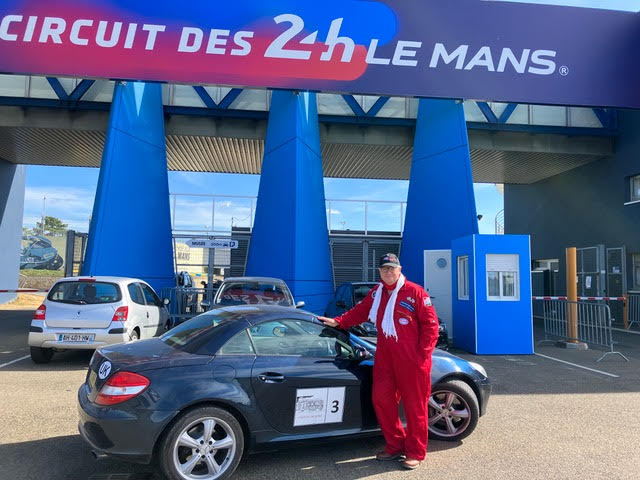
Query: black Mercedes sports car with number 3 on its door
(246, 378)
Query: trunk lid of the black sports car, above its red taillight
(148, 355)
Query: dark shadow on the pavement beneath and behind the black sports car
(68, 458)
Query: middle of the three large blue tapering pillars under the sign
(290, 239)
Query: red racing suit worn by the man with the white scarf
(402, 367)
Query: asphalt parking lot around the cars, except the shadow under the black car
(547, 419)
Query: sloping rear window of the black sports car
(201, 328)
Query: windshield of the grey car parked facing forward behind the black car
(253, 293)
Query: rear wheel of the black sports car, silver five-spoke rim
(196, 433)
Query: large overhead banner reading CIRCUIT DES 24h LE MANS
(478, 49)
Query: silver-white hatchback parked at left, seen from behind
(89, 312)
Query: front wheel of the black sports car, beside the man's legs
(453, 411)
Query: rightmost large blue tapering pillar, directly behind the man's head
(440, 203)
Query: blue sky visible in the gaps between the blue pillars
(68, 192)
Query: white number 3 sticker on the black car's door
(316, 406)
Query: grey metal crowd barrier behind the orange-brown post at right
(593, 319)
